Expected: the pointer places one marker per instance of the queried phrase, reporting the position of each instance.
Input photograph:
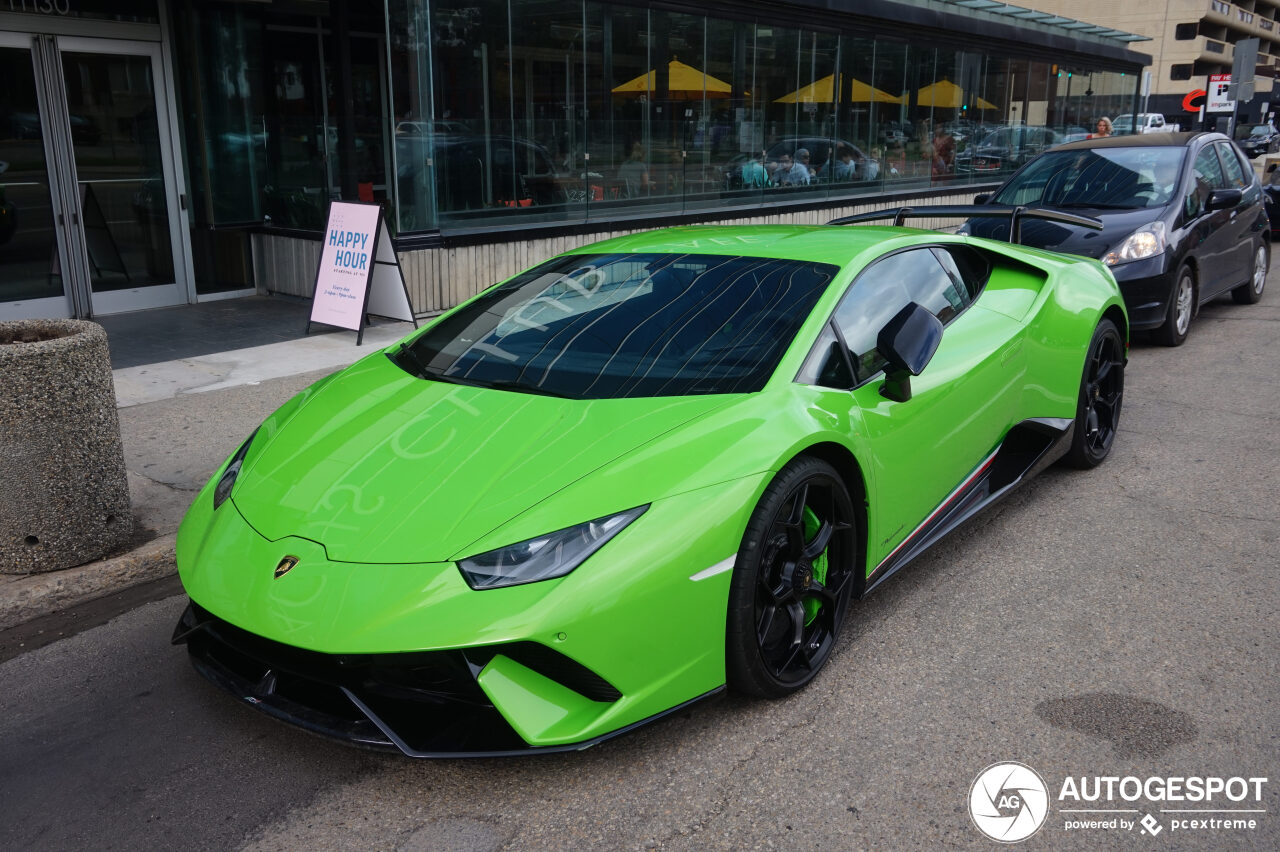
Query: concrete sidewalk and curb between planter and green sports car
(190, 387)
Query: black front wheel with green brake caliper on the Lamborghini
(792, 584)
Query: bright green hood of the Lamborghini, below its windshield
(382, 468)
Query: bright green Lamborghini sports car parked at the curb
(642, 473)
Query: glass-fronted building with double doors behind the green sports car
(159, 153)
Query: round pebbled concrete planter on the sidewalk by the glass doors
(65, 494)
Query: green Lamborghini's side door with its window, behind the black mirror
(961, 405)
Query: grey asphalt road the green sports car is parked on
(1119, 622)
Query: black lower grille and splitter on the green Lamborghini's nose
(424, 706)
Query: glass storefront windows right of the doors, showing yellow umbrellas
(495, 114)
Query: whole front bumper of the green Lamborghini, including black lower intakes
(406, 657)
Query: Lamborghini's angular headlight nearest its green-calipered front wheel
(546, 557)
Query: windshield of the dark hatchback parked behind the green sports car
(1100, 178)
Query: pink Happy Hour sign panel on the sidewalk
(346, 265)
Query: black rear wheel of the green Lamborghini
(1101, 395)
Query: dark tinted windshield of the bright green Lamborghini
(595, 327)
